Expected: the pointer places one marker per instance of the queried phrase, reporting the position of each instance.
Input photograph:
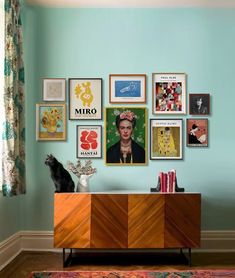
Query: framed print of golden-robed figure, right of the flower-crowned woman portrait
(166, 139)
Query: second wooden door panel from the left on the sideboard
(109, 221)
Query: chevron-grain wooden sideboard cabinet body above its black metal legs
(133, 221)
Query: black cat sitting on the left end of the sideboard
(60, 176)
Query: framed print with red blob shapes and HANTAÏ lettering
(89, 141)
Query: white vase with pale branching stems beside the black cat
(83, 173)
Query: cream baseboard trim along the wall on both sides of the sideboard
(211, 241)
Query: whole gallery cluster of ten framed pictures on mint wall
(126, 127)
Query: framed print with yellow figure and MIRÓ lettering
(85, 98)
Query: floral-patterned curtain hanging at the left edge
(13, 137)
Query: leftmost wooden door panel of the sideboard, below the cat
(72, 220)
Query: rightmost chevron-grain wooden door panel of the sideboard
(183, 220)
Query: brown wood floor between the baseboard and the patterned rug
(27, 262)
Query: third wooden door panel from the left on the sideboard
(145, 221)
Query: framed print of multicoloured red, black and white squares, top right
(169, 93)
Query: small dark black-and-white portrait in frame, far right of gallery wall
(199, 104)
